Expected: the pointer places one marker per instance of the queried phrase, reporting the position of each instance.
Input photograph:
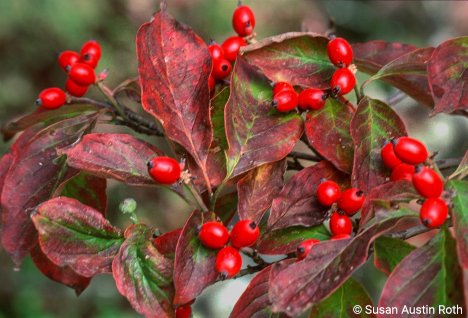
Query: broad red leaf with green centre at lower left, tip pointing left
(75, 235)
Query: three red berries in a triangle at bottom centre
(215, 235)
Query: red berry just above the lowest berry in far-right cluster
(427, 182)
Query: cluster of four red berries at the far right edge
(405, 157)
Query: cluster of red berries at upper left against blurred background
(80, 68)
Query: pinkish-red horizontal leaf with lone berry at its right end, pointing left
(118, 156)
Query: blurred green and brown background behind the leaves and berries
(33, 32)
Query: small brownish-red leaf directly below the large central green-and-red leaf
(258, 189)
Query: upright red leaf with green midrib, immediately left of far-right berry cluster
(373, 124)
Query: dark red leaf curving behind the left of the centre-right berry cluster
(297, 204)
